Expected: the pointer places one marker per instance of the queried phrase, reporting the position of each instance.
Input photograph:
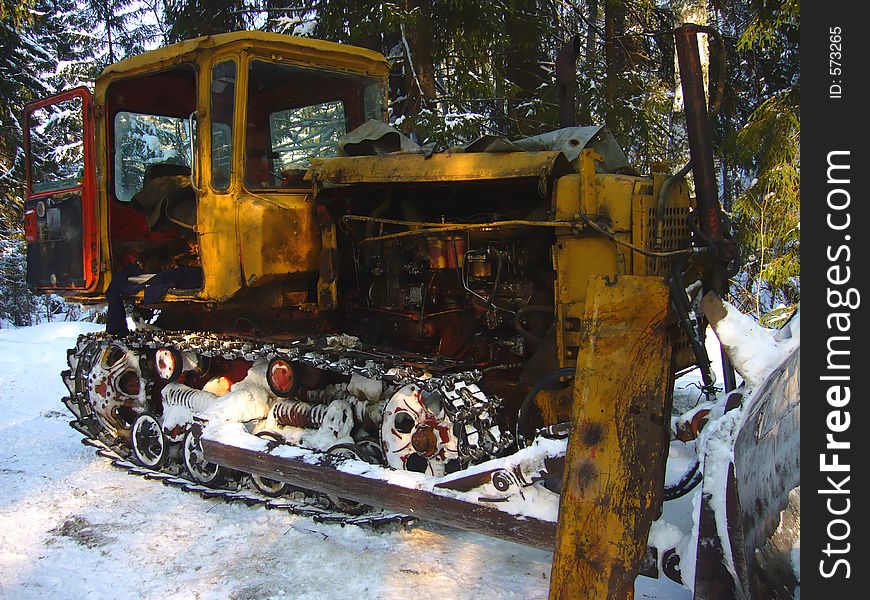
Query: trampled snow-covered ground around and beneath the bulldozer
(73, 526)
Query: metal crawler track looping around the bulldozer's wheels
(455, 381)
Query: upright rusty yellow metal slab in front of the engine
(614, 473)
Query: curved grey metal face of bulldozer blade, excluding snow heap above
(765, 470)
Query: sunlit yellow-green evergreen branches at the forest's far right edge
(766, 149)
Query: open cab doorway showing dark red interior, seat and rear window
(152, 206)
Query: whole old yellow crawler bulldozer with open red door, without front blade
(485, 338)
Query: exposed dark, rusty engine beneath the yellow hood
(464, 295)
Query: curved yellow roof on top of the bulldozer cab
(291, 47)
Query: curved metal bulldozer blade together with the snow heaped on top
(759, 491)
